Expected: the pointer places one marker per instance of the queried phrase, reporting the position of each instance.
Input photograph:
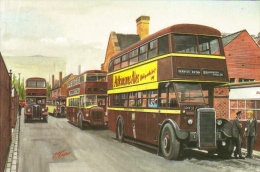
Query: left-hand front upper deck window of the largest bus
(185, 43)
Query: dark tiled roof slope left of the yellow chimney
(126, 40)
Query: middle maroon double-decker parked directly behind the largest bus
(86, 99)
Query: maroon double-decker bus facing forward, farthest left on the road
(35, 99)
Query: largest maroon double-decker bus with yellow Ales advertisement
(161, 90)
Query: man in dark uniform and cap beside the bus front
(236, 131)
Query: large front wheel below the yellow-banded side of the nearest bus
(170, 146)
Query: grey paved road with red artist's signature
(58, 146)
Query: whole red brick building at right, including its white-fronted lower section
(243, 91)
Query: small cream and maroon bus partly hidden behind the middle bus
(57, 106)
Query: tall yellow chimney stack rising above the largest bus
(142, 24)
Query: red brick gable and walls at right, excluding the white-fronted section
(243, 64)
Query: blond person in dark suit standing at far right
(250, 133)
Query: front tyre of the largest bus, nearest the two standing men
(227, 150)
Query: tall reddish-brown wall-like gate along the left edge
(5, 113)
